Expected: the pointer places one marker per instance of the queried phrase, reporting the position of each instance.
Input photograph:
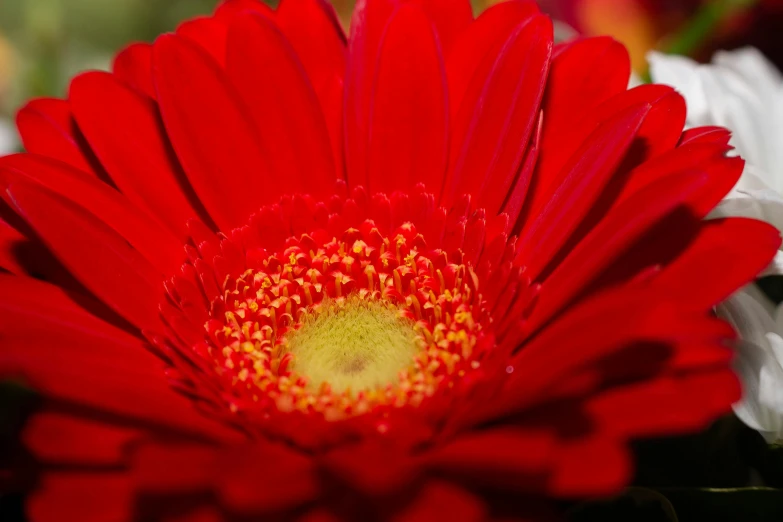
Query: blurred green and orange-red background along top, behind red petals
(45, 42)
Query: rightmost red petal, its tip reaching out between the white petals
(726, 255)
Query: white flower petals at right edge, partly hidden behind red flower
(742, 91)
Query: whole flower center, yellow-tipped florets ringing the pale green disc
(346, 325)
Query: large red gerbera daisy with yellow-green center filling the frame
(429, 271)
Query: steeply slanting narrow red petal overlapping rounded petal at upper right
(589, 170)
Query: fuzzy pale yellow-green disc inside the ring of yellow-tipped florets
(353, 344)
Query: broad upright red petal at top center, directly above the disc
(408, 122)
